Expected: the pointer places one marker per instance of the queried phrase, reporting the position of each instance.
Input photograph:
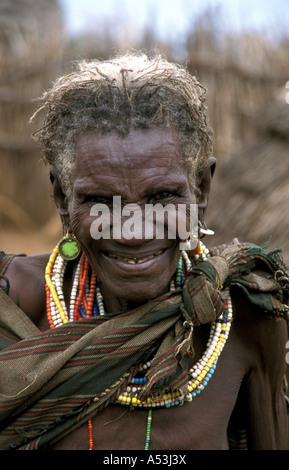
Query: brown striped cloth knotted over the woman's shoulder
(53, 381)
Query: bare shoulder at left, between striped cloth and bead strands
(27, 284)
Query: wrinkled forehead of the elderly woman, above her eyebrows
(148, 149)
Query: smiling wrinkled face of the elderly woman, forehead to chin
(142, 168)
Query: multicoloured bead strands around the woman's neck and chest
(86, 301)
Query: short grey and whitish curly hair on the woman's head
(131, 91)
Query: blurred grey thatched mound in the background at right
(249, 198)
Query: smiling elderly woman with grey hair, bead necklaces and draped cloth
(128, 342)
